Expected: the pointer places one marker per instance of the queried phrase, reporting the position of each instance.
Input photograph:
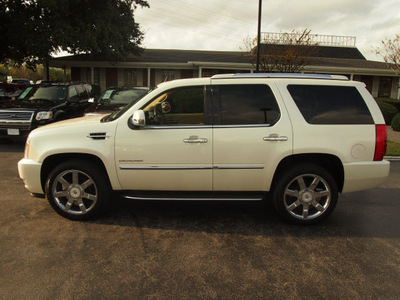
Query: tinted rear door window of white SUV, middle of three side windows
(246, 104)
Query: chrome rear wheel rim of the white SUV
(307, 197)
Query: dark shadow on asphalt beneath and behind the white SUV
(352, 218)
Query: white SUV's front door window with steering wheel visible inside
(181, 106)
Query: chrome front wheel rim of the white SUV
(74, 192)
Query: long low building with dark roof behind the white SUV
(157, 65)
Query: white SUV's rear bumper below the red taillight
(360, 176)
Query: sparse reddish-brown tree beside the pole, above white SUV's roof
(284, 52)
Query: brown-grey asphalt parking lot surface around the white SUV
(177, 250)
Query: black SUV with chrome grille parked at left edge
(43, 104)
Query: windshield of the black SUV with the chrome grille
(52, 93)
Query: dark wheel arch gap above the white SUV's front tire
(52, 161)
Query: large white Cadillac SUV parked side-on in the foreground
(300, 139)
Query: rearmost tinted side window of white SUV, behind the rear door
(330, 104)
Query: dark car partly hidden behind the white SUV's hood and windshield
(114, 99)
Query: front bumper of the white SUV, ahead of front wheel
(29, 171)
